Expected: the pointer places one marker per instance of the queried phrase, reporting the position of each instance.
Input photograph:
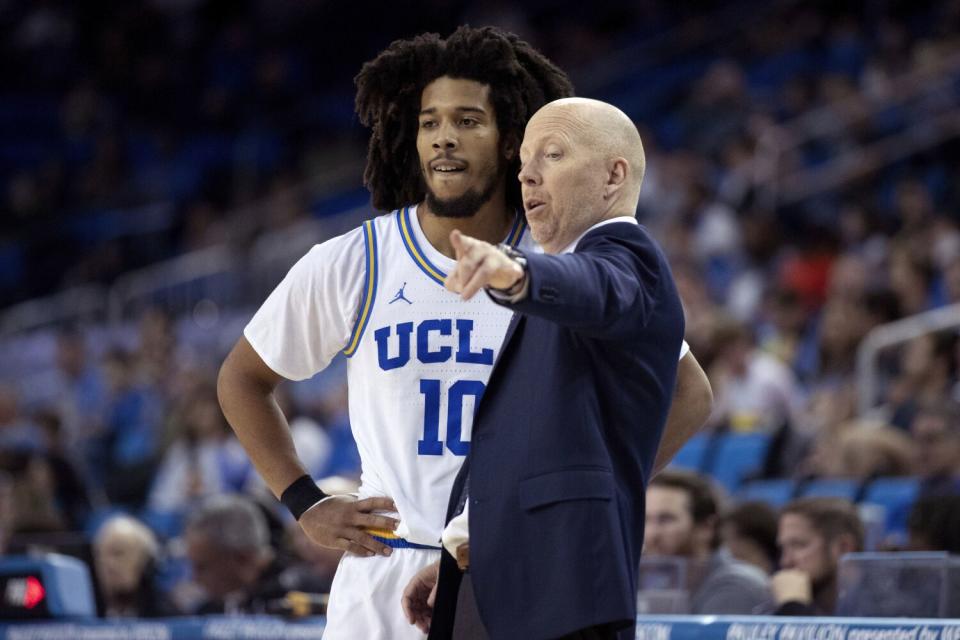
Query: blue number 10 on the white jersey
(431, 445)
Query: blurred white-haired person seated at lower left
(125, 554)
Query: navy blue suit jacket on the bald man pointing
(564, 440)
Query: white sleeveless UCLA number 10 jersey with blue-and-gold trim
(419, 360)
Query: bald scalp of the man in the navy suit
(605, 129)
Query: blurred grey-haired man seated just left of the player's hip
(228, 545)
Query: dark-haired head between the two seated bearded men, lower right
(748, 532)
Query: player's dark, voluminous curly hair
(389, 87)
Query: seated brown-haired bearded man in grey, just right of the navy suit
(681, 520)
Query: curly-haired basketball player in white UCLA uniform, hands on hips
(447, 119)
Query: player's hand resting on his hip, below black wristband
(341, 522)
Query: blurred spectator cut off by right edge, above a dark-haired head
(936, 434)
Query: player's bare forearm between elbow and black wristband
(261, 427)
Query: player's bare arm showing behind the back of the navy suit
(692, 401)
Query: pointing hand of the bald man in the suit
(479, 265)
